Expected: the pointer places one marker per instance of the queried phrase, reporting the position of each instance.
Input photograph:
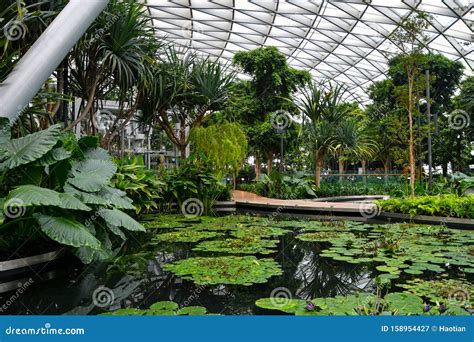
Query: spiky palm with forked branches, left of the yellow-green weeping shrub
(186, 90)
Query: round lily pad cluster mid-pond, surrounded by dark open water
(225, 270)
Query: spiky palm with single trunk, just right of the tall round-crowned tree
(324, 111)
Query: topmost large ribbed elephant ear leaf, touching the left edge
(29, 148)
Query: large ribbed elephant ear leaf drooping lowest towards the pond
(67, 231)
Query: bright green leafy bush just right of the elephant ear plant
(140, 183)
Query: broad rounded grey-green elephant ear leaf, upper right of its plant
(91, 175)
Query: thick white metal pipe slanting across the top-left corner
(46, 54)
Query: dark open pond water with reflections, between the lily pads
(137, 280)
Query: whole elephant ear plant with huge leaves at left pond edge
(62, 186)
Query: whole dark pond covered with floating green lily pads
(232, 266)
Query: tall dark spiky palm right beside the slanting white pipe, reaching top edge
(114, 56)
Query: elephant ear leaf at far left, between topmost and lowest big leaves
(31, 195)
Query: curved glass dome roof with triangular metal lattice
(344, 41)
